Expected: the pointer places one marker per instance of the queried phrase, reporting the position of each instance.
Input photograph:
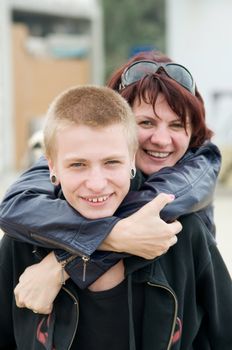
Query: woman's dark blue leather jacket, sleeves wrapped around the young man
(32, 211)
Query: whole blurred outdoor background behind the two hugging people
(49, 45)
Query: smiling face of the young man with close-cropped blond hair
(93, 167)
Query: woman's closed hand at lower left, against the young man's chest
(39, 285)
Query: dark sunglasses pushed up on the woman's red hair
(138, 70)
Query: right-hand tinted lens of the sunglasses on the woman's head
(181, 75)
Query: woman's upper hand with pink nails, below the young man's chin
(144, 233)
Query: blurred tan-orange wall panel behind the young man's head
(36, 81)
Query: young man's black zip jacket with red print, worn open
(187, 298)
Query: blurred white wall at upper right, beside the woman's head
(199, 35)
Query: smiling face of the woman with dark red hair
(163, 139)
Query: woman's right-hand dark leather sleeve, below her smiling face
(192, 180)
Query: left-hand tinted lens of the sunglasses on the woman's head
(138, 71)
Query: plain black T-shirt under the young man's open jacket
(104, 318)
